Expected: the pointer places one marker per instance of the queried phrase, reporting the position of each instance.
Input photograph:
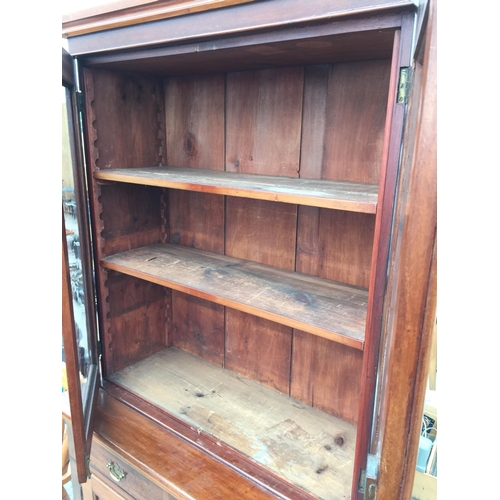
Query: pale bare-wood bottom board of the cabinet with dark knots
(308, 447)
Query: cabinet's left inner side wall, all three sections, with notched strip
(125, 130)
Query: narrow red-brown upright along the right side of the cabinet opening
(395, 122)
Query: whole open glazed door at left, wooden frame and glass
(78, 296)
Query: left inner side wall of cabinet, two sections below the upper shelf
(132, 218)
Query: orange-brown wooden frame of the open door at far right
(410, 308)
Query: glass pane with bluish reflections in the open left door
(71, 210)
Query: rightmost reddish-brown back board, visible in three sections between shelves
(342, 139)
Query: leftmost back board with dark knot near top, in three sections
(194, 116)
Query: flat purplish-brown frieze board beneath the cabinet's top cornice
(239, 20)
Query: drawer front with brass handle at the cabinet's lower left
(122, 475)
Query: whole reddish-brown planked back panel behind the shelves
(292, 121)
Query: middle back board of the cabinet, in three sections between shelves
(264, 116)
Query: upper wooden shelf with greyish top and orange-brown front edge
(350, 196)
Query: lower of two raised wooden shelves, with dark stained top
(325, 308)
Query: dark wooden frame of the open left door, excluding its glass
(81, 403)
